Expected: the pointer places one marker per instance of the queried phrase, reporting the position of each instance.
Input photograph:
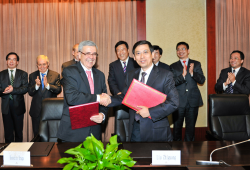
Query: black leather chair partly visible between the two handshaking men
(121, 123)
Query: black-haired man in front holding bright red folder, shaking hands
(141, 127)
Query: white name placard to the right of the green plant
(166, 157)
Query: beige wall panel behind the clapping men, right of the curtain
(171, 21)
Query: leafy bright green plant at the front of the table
(94, 156)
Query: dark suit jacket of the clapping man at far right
(242, 84)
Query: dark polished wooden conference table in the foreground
(237, 156)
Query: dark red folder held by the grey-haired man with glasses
(80, 115)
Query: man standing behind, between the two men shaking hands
(119, 68)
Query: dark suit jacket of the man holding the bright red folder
(157, 128)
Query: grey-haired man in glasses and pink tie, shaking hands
(82, 83)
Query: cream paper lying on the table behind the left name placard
(18, 146)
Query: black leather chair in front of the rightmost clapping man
(229, 117)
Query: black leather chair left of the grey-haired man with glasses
(52, 109)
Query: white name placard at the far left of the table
(16, 158)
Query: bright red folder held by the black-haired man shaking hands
(140, 94)
